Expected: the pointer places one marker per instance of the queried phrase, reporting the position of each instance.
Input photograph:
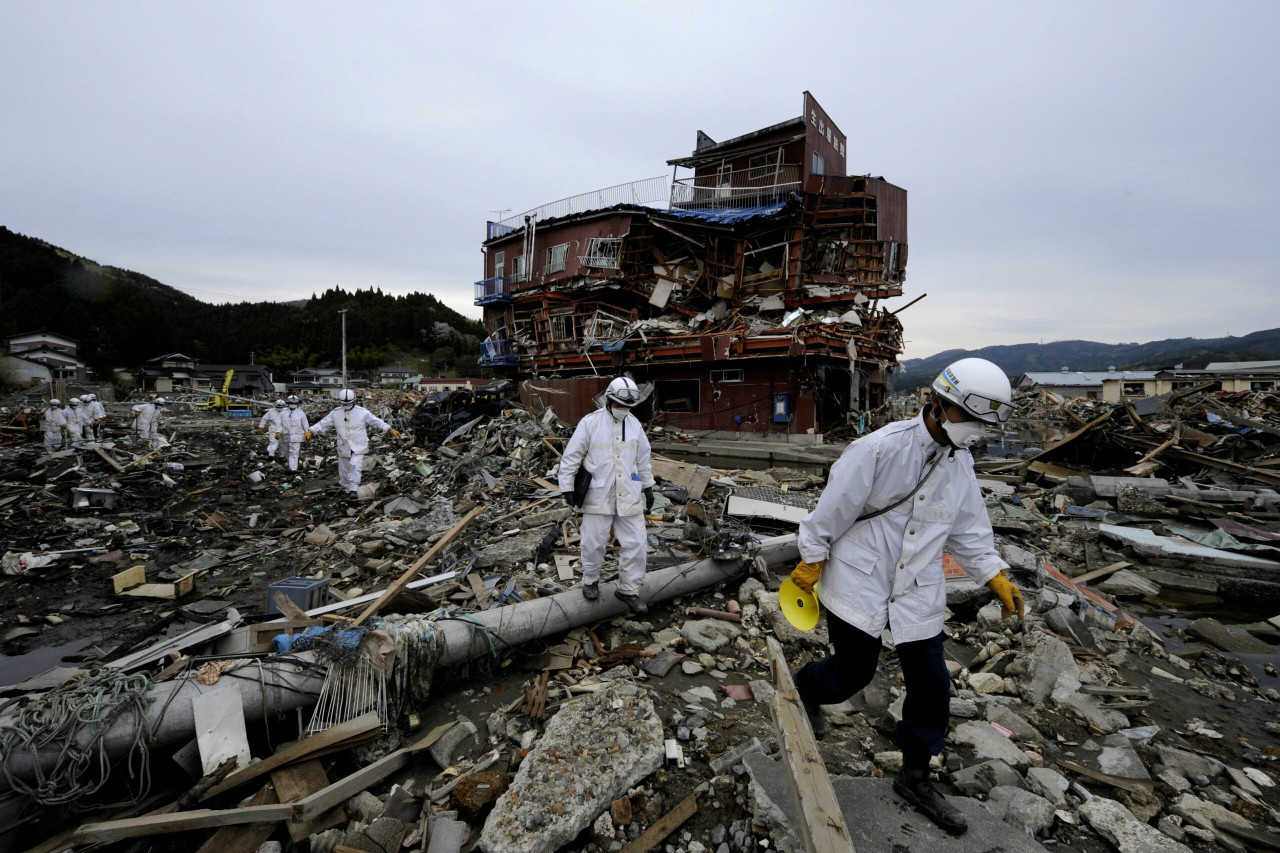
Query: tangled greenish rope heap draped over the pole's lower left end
(71, 722)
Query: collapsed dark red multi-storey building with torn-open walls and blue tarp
(749, 293)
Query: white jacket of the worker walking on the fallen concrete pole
(619, 458)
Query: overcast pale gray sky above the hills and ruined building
(1098, 171)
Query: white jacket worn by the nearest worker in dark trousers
(889, 569)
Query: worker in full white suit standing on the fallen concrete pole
(612, 448)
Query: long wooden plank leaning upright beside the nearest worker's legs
(824, 823)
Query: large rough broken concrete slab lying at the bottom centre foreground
(591, 754)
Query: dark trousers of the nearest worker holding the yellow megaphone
(927, 709)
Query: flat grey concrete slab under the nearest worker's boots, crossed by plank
(877, 818)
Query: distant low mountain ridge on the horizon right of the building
(1089, 355)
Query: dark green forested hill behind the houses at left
(124, 318)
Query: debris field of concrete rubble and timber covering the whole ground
(1135, 710)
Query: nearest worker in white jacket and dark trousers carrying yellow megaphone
(872, 553)
